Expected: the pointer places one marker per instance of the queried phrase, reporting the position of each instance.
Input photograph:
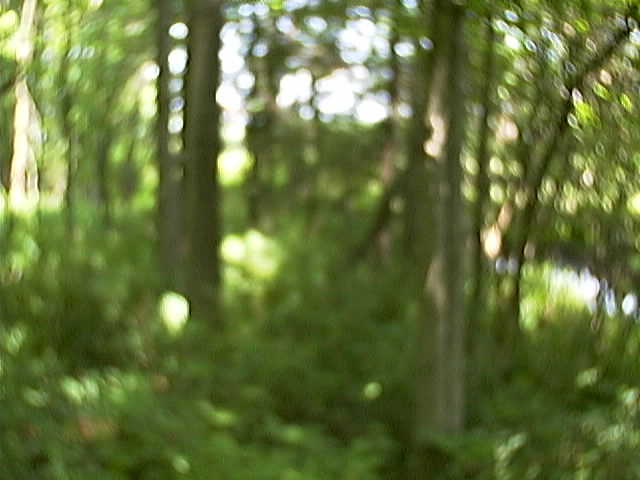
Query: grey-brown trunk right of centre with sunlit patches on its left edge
(441, 389)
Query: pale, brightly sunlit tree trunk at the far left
(23, 188)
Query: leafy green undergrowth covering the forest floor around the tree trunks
(116, 397)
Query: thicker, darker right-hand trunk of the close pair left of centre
(202, 146)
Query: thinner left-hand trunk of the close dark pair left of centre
(169, 220)
